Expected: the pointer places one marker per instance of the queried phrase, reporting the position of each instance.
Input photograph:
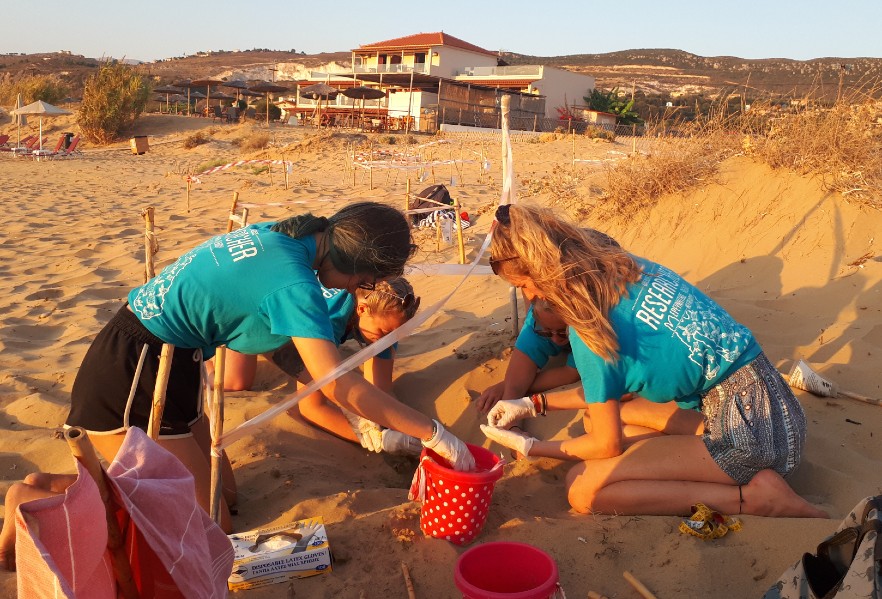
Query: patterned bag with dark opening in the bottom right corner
(847, 565)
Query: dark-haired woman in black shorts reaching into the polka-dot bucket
(252, 290)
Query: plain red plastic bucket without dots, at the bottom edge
(503, 570)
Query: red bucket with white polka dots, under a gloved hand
(455, 504)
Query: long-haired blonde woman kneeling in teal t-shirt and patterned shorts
(637, 327)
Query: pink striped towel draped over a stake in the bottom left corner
(176, 550)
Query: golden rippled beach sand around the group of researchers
(799, 266)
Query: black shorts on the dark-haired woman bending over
(103, 384)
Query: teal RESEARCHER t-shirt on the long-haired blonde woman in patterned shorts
(675, 343)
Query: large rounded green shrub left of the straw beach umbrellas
(113, 98)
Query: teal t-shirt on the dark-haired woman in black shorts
(251, 290)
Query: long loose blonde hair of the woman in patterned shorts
(582, 277)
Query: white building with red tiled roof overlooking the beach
(435, 78)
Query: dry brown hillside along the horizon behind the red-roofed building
(651, 71)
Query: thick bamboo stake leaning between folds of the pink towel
(82, 449)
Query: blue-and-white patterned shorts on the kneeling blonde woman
(752, 421)
